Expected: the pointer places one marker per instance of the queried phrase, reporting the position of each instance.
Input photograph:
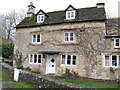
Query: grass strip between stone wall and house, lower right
(91, 84)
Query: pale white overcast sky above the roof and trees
(111, 6)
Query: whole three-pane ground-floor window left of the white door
(35, 58)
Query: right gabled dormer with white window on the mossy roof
(70, 12)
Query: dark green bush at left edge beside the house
(7, 50)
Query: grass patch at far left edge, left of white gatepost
(4, 75)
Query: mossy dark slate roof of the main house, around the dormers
(58, 17)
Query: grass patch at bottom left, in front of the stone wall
(18, 85)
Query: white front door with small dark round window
(50, 64)
